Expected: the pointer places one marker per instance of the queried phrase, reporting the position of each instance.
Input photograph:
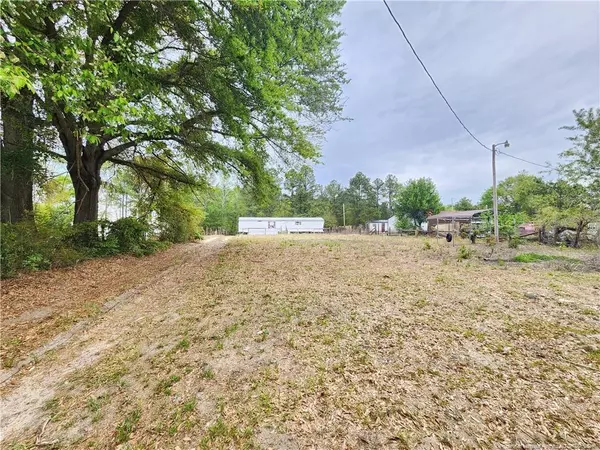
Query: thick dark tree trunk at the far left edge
(17, 157)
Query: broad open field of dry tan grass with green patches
(326, 342)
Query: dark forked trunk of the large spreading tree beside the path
(86, 182)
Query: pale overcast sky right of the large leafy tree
(512, 70)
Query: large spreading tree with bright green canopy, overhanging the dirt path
(155, 86)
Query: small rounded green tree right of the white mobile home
(417, 199)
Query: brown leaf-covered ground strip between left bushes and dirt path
(37, 306)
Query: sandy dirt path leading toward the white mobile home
(154, 301)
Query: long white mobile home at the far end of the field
(274, 225)
